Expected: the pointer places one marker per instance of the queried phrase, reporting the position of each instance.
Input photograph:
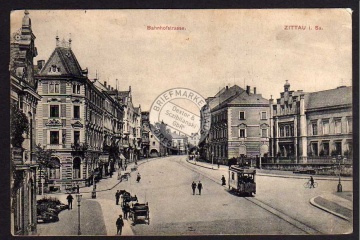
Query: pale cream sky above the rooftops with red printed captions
(215, 48)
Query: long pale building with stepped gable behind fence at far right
(312, 127)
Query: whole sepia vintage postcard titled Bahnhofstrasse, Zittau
(181, 122)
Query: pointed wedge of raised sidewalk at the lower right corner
(339, 204)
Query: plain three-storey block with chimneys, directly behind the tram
(239, 125)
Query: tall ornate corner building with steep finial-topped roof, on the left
(79, 119)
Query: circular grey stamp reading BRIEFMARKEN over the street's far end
(180, 119)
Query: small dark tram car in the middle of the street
(242, 180)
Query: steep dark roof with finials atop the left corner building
(64, 59)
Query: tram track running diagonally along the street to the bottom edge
(296, 223)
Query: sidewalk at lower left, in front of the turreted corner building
(91, 209)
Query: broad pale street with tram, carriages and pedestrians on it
(281, 205)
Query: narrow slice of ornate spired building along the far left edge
(23, 99)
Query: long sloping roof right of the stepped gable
(333, 97)
